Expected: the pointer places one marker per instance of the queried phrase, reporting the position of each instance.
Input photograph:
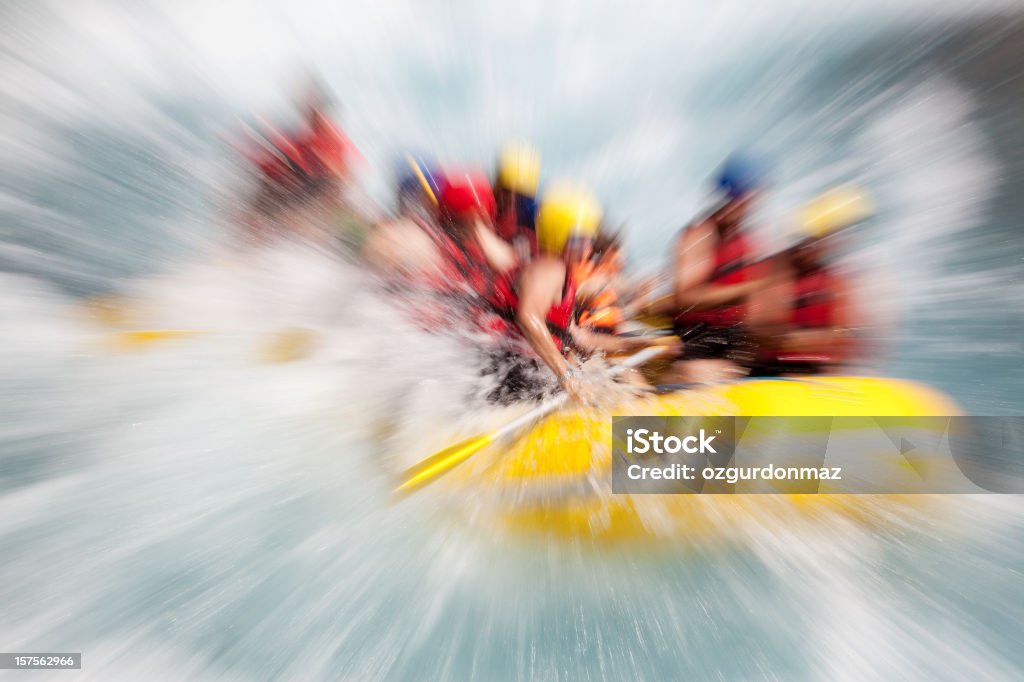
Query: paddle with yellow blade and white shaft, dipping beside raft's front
(445, 460)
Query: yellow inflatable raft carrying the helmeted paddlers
(556, 479)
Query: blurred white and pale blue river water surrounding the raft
(195, 511)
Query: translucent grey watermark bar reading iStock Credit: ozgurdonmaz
(818, 455)
